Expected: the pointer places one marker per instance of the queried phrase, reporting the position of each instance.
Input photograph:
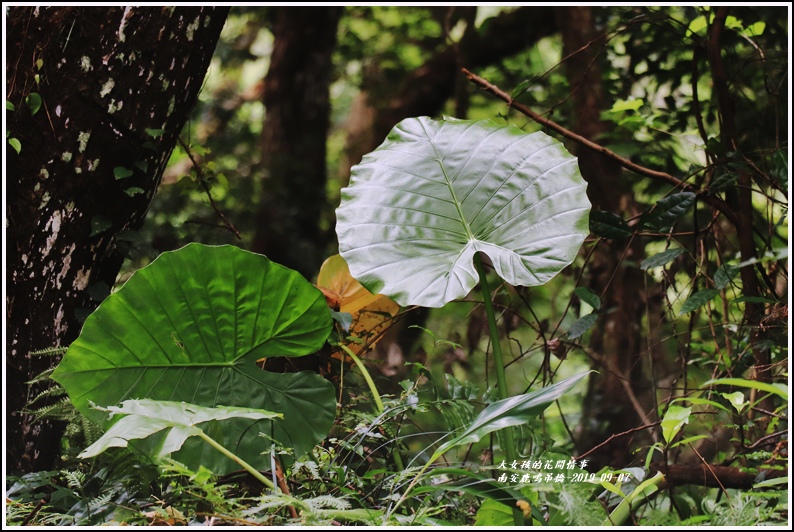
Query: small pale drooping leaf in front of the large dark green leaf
(144, 417)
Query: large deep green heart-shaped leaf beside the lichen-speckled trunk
(190, 327)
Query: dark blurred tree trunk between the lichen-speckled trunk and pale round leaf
(294, 136)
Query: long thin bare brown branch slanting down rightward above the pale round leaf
(625, 163)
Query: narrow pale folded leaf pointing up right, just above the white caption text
(510, 412)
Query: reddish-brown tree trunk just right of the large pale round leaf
(615, 341)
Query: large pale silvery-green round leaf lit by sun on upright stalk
(436, 192)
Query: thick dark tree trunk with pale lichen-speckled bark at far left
(115, 86)
